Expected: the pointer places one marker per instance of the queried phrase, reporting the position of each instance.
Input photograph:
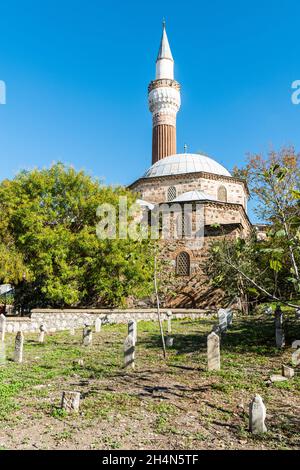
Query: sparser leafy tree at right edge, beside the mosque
(268, 268)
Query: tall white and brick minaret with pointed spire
(164, 103)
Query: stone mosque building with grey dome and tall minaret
(180, 178)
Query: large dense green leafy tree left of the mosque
(49, 218)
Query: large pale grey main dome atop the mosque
(185, 163)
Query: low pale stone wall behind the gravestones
(59, 320)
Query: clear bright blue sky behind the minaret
(77, 74)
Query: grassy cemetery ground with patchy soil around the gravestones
(172, 404)
